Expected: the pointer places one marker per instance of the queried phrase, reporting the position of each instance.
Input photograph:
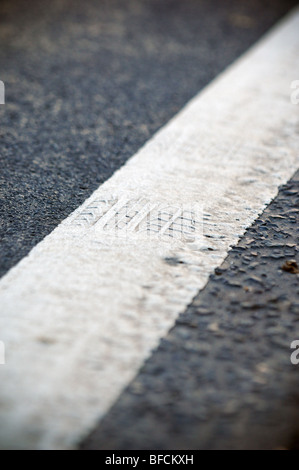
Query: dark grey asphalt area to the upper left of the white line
(87, 83)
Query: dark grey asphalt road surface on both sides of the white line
(87, 83)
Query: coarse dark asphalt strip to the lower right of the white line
(222, 378)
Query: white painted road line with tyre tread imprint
(81, 313)
